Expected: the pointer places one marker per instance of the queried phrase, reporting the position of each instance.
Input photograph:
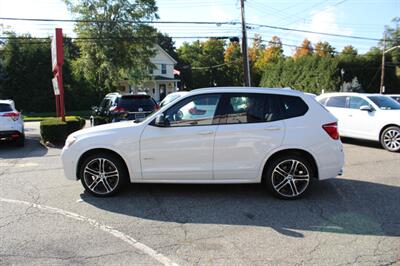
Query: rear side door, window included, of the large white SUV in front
(249, 128)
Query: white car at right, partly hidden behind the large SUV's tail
(373, 117)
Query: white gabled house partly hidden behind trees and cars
(161, 80)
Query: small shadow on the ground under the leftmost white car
(32, 148)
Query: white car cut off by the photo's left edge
(11, 123)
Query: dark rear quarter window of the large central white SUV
(292, 106)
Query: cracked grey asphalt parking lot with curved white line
(46, 219)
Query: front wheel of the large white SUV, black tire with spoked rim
(100, 185)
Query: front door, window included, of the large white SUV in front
(183, 149)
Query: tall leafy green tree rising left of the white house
(113, 46)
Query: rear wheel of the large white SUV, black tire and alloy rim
(294, 185)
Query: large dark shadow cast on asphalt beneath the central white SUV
(340, 206)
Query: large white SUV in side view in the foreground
(282, 138)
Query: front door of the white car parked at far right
(362, 123)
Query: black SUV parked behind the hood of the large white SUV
(117, 107)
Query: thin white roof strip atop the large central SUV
(283, 91)
